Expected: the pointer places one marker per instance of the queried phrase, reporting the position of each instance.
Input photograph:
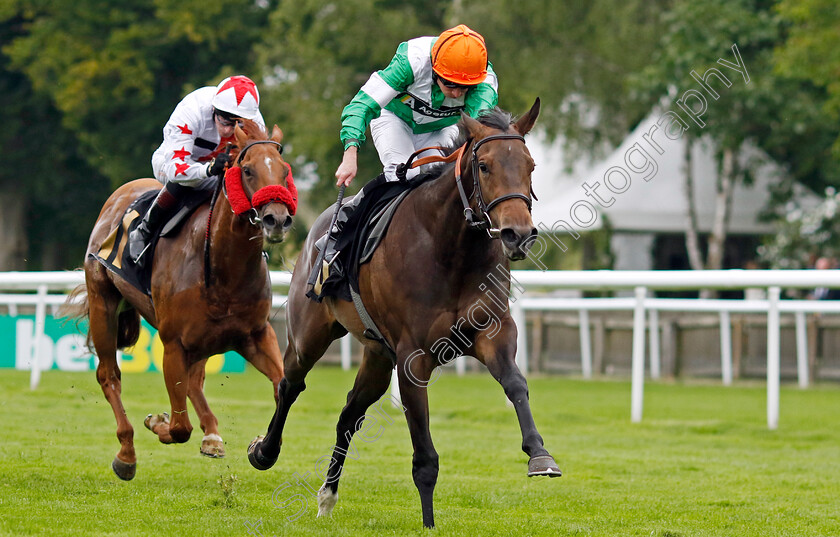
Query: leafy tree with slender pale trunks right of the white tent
(733, 110)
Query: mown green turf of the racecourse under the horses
(702, 462)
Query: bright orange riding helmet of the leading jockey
(459, 55)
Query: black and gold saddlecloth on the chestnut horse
(113, 254)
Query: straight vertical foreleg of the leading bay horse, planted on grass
(414, 374)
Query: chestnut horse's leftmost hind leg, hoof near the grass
(104, 301)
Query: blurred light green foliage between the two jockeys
(315, 57)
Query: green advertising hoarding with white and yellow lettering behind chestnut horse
(63, 348)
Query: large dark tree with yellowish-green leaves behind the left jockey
(95, 81)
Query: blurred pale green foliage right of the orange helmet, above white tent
(576, 56)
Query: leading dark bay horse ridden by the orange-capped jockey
(428, 289)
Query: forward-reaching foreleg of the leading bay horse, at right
(498, 355)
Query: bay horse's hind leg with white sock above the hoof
(371, 383)
